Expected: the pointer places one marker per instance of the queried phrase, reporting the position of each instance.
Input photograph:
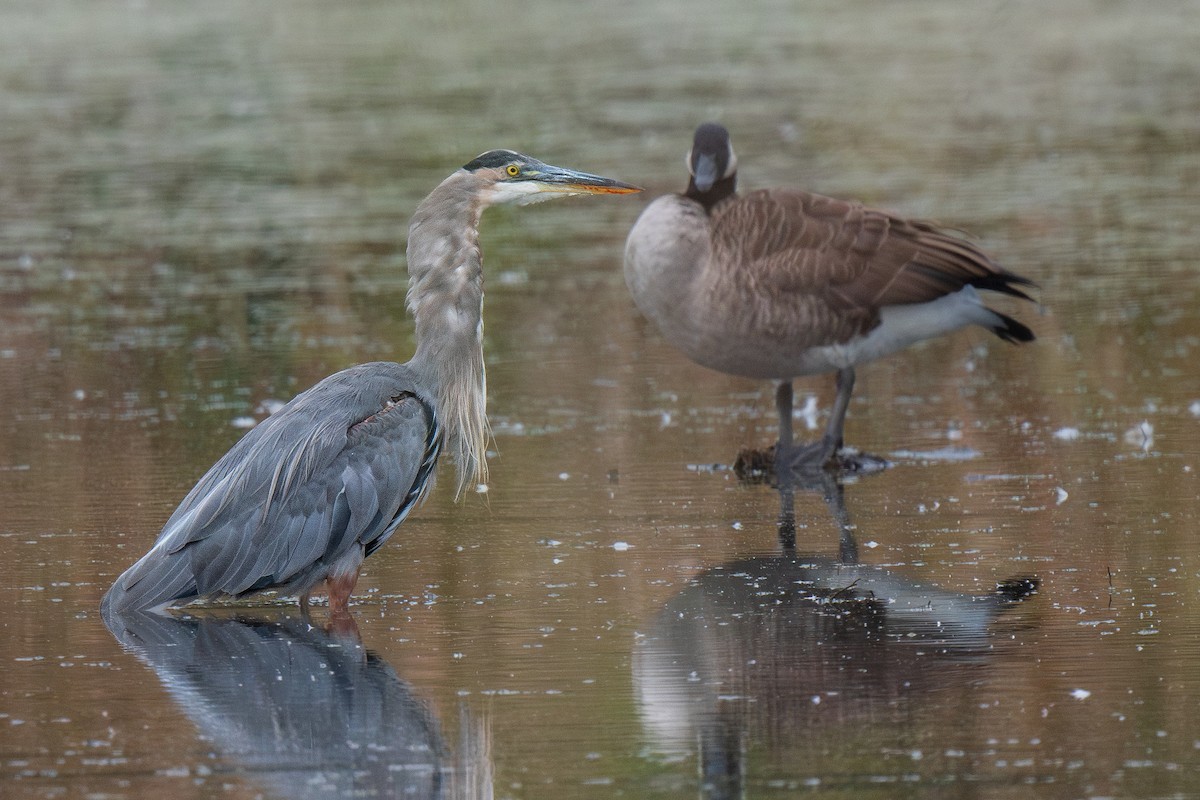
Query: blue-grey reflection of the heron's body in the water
(303, 713)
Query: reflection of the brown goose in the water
(802, 652)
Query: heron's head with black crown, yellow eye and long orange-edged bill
(515, 178)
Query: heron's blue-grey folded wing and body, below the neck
(339, 467)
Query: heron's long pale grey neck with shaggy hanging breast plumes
(446, 297)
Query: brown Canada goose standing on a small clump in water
(782, 284)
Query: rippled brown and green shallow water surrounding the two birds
(203, 213)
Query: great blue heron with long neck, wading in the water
(323, 483)
